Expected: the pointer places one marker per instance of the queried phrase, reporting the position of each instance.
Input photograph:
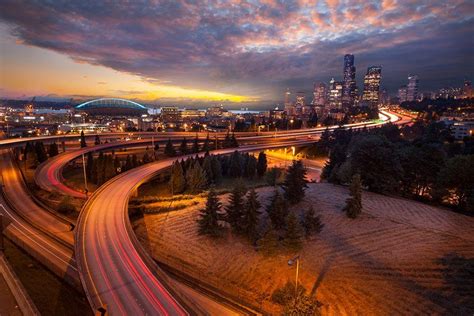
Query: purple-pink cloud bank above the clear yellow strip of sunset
(250, 48)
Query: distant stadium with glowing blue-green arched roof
(112, 107)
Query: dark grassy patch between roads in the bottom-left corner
(51, 295)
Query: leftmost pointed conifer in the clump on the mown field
(208, 221)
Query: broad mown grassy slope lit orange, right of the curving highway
(398, 257)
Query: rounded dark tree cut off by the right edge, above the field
(457, 179)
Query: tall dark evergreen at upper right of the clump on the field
(295, 182)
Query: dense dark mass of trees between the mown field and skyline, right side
(422, 161)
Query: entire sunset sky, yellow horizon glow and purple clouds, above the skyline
(233, 52)
